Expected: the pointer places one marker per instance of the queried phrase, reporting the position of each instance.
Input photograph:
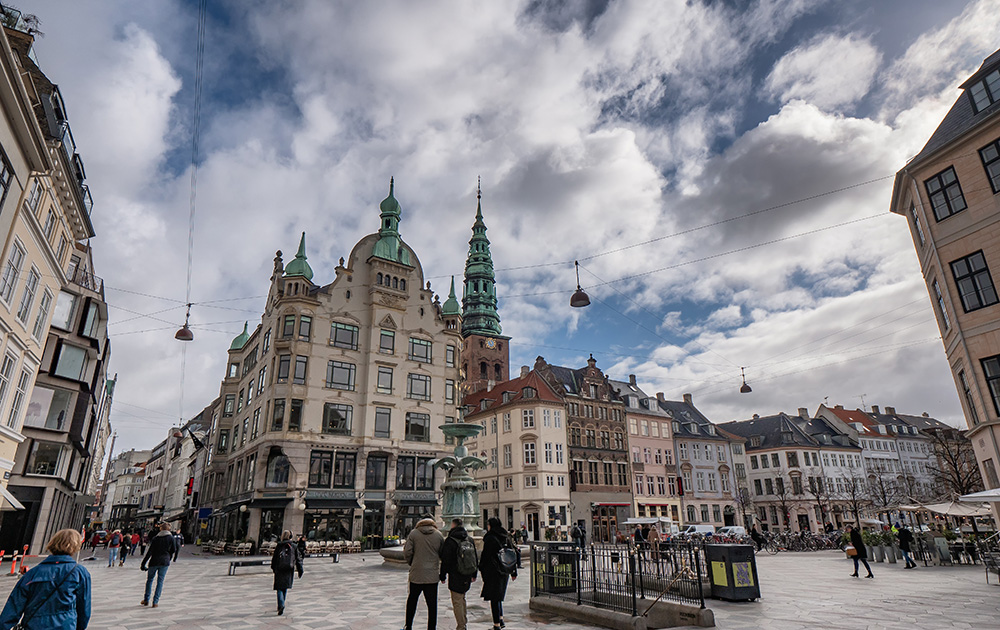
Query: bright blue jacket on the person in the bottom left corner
(67, 609)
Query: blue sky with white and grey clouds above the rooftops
(722, 171)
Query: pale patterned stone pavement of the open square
(804, 590)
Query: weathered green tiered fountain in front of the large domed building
(460, 490)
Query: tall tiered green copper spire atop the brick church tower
(479, 304)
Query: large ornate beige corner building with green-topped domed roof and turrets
(331, 406)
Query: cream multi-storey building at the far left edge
(44, 208)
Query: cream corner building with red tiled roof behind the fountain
(526, 480)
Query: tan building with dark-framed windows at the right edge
(949, 196)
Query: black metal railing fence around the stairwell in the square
(624, 578)
